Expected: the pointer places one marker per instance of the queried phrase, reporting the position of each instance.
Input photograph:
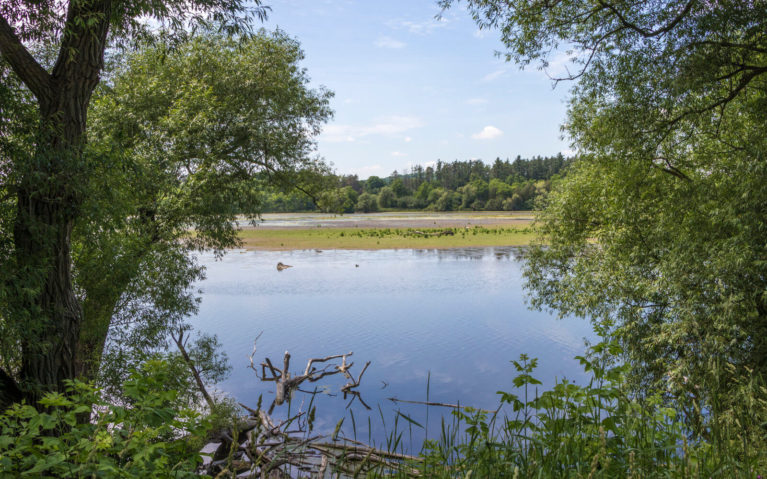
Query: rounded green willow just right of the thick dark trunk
(183, 139)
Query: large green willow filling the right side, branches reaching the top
(655, 233)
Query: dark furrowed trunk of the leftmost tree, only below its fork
(48, 202)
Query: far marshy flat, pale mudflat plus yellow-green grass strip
(391, 230)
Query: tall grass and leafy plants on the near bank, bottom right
(600, 430)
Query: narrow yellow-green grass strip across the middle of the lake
(385, 238)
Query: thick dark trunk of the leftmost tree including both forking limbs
(49, 196)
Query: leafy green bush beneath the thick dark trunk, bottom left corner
(148, 438)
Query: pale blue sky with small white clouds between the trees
(410, 89)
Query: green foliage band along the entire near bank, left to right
(602, 429)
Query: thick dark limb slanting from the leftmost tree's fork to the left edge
(22, 62)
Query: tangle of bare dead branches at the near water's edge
(263, 448)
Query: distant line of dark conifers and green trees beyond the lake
(459, 185)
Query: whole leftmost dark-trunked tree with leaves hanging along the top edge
(46, 186)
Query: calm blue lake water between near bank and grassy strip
(454, 316)
